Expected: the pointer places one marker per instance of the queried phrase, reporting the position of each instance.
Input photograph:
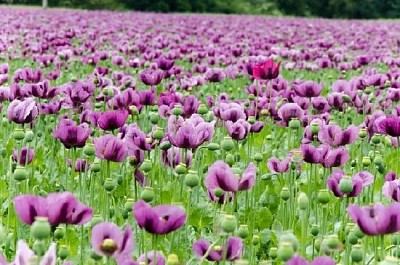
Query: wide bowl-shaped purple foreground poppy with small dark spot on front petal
(161, 219)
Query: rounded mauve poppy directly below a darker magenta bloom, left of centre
(109, 147)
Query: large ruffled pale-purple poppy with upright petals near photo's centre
(189, 133)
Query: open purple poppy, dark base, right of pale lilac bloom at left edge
(70, 134)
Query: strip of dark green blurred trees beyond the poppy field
(307, 8)
